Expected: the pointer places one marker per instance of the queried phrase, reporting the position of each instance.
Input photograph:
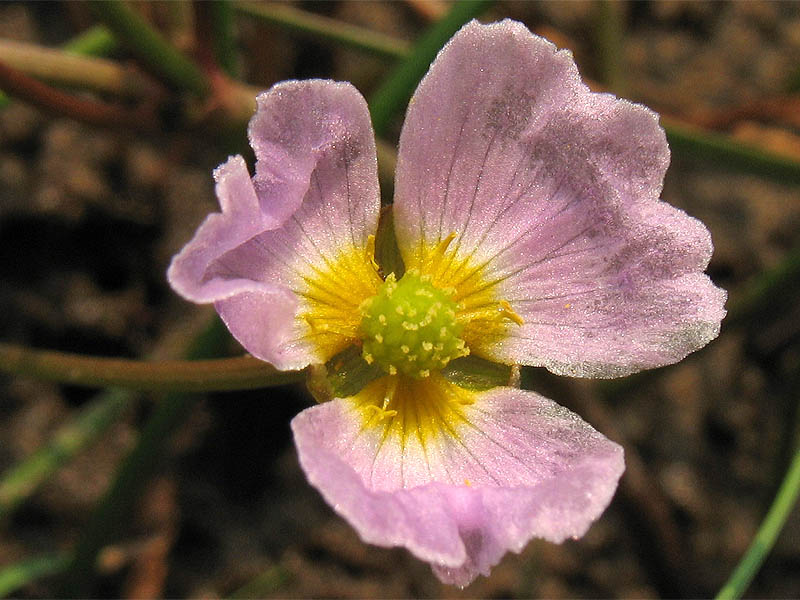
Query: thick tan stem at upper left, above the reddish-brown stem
(64, 68)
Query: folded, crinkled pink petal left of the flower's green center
(286, 262)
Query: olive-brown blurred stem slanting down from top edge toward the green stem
(319, 26)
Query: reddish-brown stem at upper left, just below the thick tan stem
(28, 89)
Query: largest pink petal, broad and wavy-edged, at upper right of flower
(552, 194)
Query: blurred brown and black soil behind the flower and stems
(89, 220)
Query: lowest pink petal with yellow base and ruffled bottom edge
(459, 486)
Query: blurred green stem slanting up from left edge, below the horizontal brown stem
(94, 419)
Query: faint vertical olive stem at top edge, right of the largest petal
(609, 33)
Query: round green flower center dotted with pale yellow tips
(410, 326)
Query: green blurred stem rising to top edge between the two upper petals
(396, 90)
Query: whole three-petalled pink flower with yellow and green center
(528, 218)
